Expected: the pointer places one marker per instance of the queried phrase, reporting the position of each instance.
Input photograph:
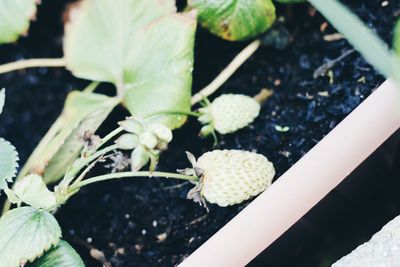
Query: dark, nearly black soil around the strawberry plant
(149, 222)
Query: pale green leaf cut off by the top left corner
(15, 16)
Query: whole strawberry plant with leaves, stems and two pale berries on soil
(143, 51)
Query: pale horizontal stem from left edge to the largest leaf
(32, 63)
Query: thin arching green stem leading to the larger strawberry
(120, 175)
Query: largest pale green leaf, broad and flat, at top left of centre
(143, 47)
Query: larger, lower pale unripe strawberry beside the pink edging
(232, 176)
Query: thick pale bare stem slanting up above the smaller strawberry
(227, 72)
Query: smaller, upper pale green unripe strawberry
(229, 113)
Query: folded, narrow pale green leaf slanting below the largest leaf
(83, 111)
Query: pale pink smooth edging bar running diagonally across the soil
(304, 184)
